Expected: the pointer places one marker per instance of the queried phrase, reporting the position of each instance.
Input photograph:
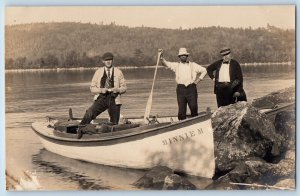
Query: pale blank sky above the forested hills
(282, 16)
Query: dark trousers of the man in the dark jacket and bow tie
(224, 94)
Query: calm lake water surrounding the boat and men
(30, 96)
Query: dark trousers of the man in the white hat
(187, 96)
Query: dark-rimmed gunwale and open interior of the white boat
(136, 127)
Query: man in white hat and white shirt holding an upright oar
(187, 77)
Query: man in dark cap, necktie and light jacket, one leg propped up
(108, 84)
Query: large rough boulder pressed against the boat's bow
(240, 132)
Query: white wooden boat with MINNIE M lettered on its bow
(186, 146)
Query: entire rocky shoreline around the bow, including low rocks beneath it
(252, 150)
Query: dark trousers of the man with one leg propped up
(104, 102)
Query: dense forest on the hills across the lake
(66, 45)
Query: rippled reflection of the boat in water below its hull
(88, 176)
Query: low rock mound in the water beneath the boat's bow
(163, 178)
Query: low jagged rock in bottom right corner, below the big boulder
(256, 173)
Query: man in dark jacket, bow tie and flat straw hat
(228, 77)
